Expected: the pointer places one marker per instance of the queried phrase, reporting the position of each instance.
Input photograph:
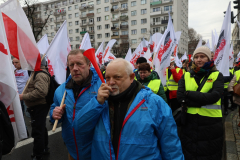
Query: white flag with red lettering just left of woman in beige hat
(164, 51)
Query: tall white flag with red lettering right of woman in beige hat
(221, 55)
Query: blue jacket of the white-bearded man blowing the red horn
(149, 131)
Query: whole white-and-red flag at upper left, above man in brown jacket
(20, 38)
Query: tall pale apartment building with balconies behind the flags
(127, 21)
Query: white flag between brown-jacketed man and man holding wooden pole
(57, 54)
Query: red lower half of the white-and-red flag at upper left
(16, 36)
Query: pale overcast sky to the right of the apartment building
(207, 15)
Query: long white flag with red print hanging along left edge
(8, 88)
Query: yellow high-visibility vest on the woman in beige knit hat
(212, 110)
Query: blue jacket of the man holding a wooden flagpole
(76, 145)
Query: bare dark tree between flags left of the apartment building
(32, 10)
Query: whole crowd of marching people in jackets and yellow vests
(132, 115)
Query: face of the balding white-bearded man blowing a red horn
(117, 78)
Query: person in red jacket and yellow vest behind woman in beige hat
(173, 75)
